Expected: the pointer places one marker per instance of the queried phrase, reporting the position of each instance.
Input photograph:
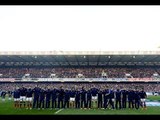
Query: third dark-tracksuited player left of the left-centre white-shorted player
(54, 93)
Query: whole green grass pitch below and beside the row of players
(6, 108)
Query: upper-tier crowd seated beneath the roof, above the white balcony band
(73, 72)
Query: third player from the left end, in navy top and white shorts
(29, 99)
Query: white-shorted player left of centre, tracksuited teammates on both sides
(72, 97)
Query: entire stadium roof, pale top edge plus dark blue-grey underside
(79, 58)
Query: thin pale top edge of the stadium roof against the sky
(151, 52)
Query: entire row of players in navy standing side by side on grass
(75, 98)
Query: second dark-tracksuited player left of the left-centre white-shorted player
(61, 97)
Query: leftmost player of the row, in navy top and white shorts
(16, 96)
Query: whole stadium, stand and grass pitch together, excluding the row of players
(116, 70)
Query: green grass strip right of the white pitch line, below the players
(149, 111)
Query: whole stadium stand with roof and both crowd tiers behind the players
(91, 66)
